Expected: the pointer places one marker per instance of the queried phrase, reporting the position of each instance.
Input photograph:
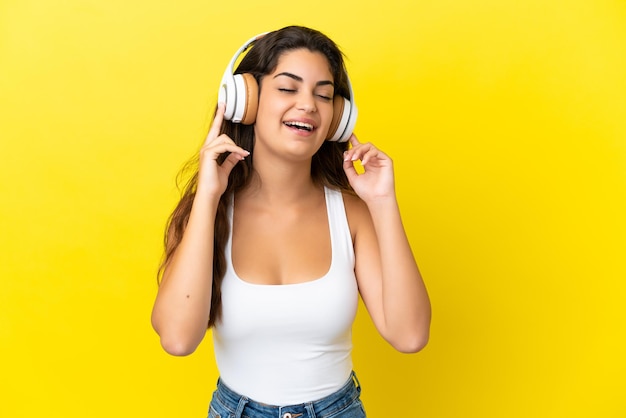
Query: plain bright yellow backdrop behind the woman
(506, 121)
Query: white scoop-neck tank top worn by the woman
(290, 344)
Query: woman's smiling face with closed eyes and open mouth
(295, 105)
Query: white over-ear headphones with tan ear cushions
(240, 93)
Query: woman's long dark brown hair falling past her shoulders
(326, 165)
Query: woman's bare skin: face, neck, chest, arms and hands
(281, 216)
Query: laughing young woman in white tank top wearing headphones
(277, 234)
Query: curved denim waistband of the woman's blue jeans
(240, 405)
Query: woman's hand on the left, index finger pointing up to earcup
(212, 176)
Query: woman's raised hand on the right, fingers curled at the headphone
(377, 180)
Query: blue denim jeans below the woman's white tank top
(345, 403)
